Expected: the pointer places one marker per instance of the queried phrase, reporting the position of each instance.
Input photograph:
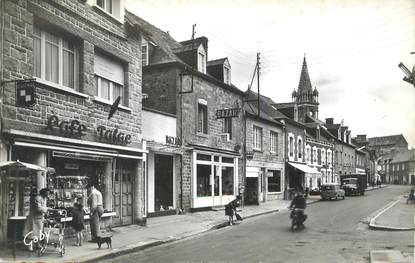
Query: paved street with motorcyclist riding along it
(334, 232)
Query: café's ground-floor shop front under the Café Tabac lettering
(115, 170)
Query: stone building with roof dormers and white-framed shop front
(179, 81)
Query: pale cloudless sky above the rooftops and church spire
(352, 49)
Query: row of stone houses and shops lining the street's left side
(181, 136)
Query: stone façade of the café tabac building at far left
(79, 56)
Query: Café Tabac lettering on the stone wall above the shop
(74, 128)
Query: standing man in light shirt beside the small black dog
(96, 210)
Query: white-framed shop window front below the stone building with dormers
(215, 179)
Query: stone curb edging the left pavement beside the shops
(144, 246)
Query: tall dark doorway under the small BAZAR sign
(163, 182)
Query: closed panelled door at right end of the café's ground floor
(123, 194)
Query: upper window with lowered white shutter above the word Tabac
(109, 79)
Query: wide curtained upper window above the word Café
(55, 58)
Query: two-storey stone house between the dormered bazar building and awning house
(265, 144)
